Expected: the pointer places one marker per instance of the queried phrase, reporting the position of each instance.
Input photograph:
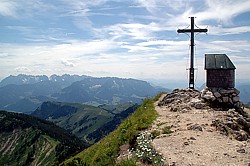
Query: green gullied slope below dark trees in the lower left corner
(27, 147)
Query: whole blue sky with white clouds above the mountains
(121, 38)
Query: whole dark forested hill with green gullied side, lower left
(27, 140)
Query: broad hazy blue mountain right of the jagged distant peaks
(106, 90)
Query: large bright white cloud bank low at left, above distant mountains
(54, 55)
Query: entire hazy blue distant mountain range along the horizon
(24, 93)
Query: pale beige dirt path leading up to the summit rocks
(194, 141)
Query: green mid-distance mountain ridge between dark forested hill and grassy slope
(87, 122)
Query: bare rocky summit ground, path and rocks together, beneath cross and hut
(202, 133)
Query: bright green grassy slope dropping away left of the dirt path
(106, 151)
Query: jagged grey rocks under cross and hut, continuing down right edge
(233, 120)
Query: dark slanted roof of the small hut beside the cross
(218, 61)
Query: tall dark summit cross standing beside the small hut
(192, 31)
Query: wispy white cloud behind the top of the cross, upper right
(223, 12)
